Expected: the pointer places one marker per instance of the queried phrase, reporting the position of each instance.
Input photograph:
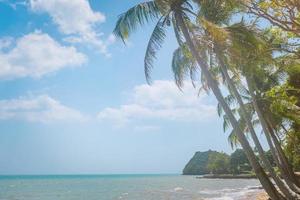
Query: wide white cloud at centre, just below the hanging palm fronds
(163, 101)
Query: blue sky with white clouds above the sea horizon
(73, 99)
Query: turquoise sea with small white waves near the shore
(125, 187)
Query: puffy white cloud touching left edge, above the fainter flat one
(35, 55)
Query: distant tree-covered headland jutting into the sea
(213, 162)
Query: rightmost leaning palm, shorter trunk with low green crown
(258, 86)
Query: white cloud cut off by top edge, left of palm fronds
(76, 19)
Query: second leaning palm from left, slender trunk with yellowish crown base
(219, 48)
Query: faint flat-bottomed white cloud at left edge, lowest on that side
(38, 109)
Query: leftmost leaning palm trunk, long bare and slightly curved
(262, 176)
